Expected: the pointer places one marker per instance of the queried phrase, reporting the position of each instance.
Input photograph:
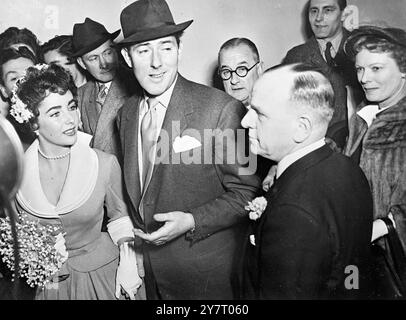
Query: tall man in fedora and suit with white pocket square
(190, 215)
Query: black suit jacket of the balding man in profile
(317, 222)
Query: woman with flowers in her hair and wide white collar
(69, 185)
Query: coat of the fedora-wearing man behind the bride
(103, 127)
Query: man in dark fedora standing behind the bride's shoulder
(100, 98)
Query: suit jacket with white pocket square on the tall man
(198, 265)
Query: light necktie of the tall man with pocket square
(148, 138)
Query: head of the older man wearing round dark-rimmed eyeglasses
(239, 68)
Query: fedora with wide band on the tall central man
(145, 20)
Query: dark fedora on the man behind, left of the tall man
(89, 35)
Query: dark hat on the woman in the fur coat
(393, 35)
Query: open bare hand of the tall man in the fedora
(176, 224)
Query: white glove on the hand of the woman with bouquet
(127, 277)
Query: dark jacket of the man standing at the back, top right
(340, 75)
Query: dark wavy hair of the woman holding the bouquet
(38, 83)
